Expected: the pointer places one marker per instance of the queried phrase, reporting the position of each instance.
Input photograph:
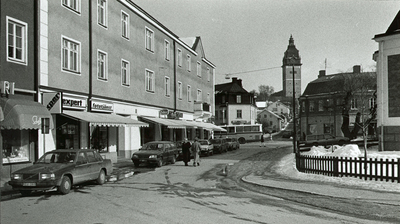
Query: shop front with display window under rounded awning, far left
(22, 120)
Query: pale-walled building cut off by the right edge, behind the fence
(388, 91)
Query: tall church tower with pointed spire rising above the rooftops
(291, 58)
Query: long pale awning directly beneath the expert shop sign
(97, 119)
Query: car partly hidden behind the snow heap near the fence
(324, 140)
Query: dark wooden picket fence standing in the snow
(370, 168)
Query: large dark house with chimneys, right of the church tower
(329, 105)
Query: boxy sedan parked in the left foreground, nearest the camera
(62, 169)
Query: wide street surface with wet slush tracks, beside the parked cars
(174, 193)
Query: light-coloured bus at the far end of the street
(243, 132)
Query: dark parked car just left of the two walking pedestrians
(156, 153)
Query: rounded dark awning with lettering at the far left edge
(23, 114)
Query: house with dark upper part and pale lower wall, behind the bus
(233, 104)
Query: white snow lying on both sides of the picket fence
(287, 167)
